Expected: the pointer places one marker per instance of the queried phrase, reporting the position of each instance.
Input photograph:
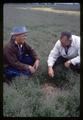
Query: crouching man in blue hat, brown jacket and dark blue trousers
(19, 57)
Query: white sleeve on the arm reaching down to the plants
(54, 54)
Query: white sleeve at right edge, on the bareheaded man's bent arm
(76, 60)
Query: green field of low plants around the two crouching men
(39, 95)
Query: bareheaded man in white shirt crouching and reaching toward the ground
(67, 49)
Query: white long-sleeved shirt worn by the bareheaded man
(73, 52)
